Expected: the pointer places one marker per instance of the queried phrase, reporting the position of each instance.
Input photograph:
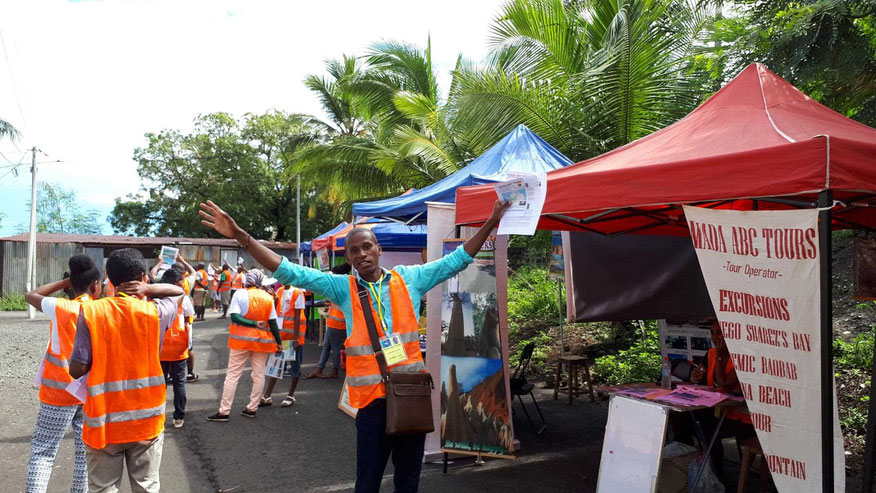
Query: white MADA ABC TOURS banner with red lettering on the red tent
(761, 269)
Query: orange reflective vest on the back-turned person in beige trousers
(126, 389)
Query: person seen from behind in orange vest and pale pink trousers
(252, 315)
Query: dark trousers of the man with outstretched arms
(374, 446)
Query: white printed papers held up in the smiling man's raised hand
(525, 191)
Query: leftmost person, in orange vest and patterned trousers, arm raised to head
(58, 408)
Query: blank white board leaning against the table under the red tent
(632, 448)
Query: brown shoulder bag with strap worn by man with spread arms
(408, 395)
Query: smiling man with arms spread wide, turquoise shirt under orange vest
(394, 297)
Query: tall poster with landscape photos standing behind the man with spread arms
(474, 402)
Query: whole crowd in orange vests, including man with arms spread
(115, 347)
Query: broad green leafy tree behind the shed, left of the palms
(239, 164)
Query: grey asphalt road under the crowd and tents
(308, 447)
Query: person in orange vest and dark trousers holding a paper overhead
(174, 353)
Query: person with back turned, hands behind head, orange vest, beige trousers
(117, 344)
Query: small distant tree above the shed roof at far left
(58, 212)
